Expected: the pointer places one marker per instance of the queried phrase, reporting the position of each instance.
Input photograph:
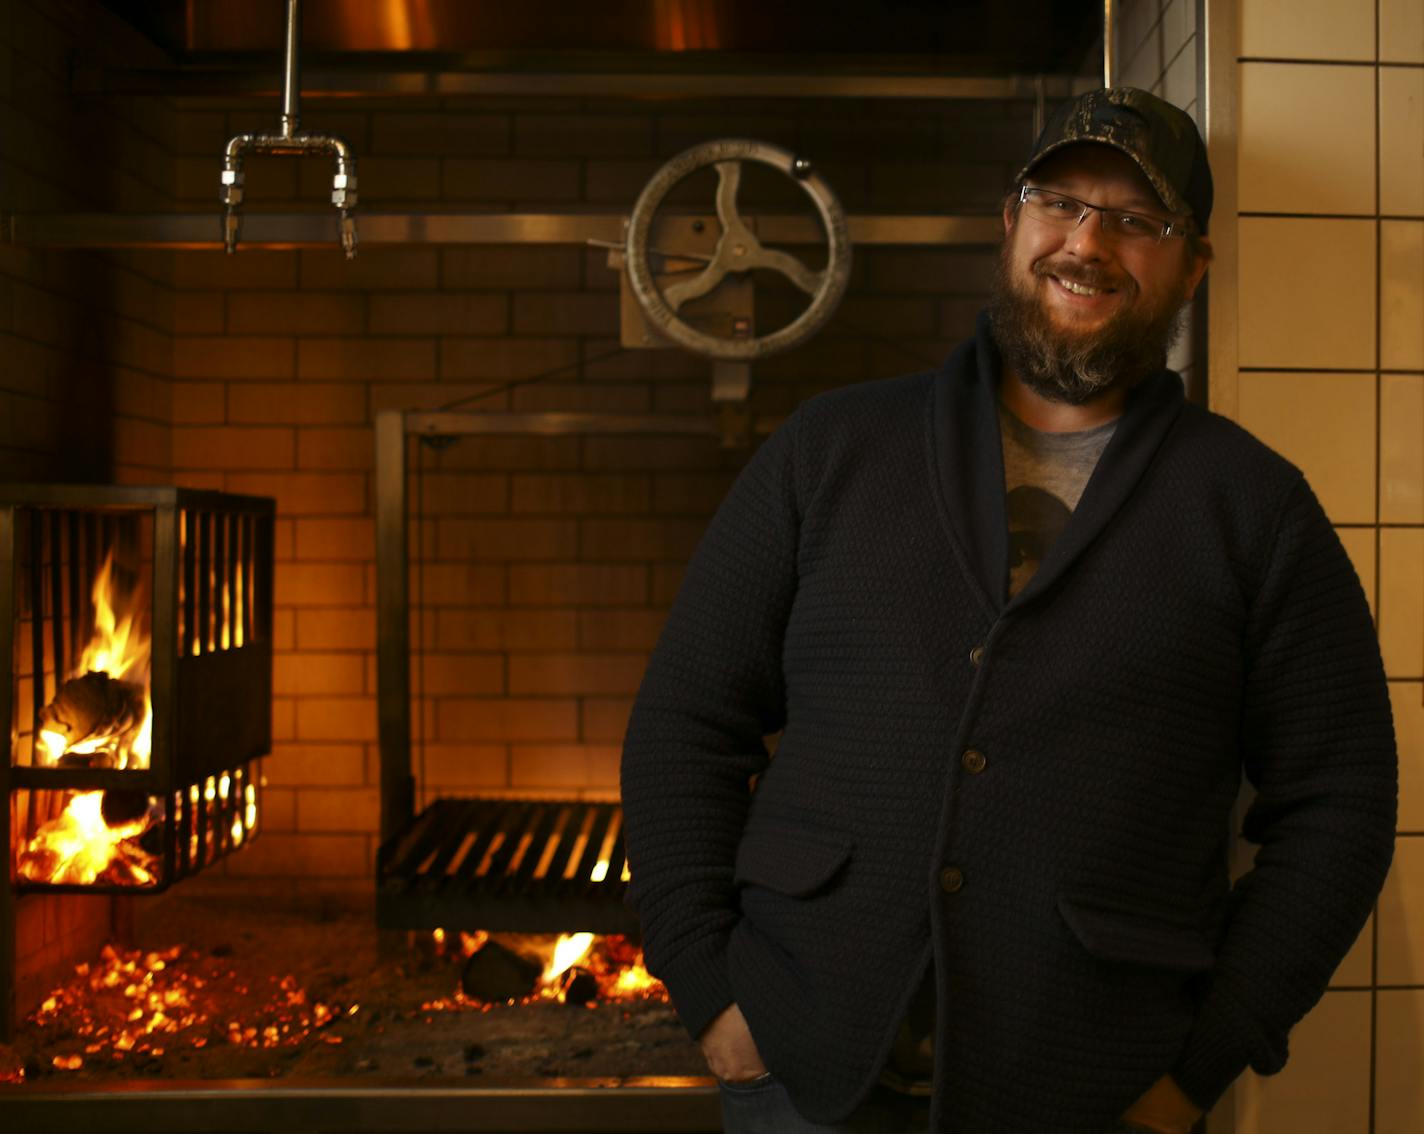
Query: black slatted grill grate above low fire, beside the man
(508, 865)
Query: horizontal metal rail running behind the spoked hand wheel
(313, 230)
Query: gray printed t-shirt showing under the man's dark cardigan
(1045, 477)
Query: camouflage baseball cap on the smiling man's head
(1161, 139)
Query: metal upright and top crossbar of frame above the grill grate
(398, 793)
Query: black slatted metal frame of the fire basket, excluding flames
(184, 689)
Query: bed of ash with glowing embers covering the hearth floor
(226, 981)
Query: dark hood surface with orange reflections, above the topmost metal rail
(972, 38)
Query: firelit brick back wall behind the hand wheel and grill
(548, 565)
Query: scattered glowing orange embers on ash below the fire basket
(136, 1005)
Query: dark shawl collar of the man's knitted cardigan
(970, 465)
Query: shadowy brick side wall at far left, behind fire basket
(85, 351)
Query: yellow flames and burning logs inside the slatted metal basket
(100, 717)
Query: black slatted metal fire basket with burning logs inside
(183, 582)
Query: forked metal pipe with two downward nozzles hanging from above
(290, 142)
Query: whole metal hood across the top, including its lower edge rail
(925, 49)
